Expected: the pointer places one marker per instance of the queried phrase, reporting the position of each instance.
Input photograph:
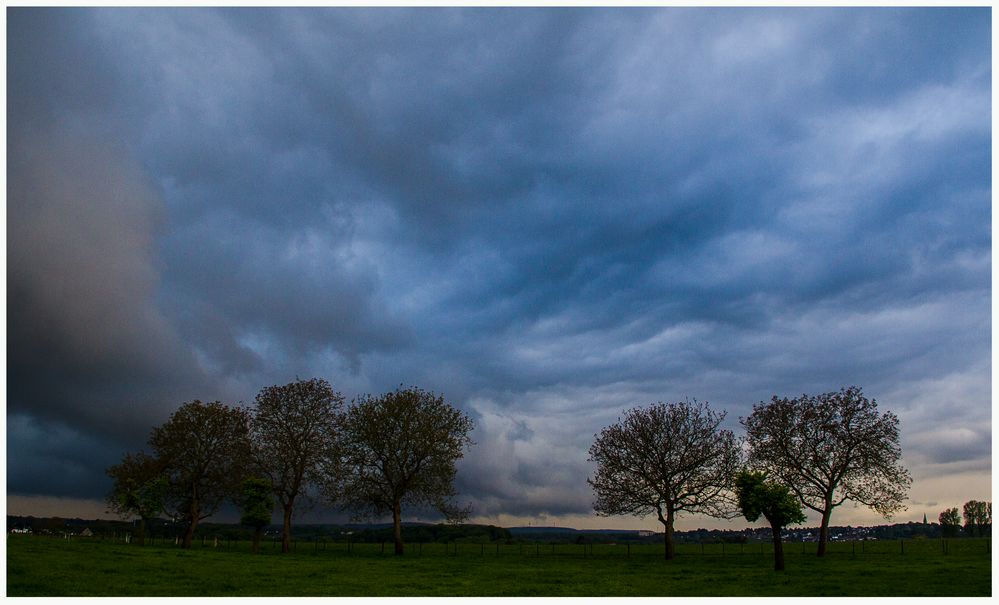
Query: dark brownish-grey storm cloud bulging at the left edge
(88, 345)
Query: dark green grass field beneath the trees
(49, 566)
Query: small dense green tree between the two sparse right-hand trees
(775, 502)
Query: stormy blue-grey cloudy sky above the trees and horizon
(550, 216)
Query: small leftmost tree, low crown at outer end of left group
(139, 489)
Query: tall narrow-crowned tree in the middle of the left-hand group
(295, 426)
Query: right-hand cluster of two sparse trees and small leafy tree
(814, 452)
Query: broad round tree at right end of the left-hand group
(401, 448)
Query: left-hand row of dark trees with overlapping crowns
(297, 444)
